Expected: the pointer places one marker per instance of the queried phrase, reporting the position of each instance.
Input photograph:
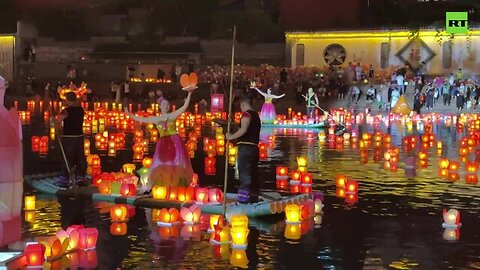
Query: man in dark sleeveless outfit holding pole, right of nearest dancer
(248, 136)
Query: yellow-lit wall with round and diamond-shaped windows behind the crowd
(384, 49)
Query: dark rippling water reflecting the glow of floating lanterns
(396, 224)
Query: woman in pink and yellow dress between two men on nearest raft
(171, 164)
